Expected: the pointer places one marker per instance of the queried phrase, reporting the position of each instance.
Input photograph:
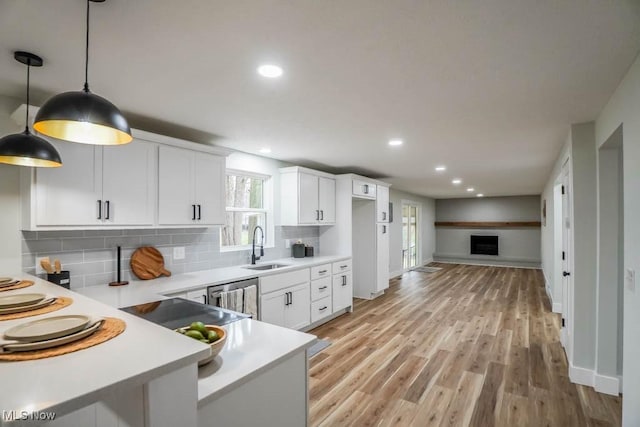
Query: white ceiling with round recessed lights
(488, 88)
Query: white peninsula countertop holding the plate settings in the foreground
(65, 383)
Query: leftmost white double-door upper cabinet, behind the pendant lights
(96, 186)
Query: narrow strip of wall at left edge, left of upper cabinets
(10, 249)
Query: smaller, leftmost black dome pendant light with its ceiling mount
(27, 149)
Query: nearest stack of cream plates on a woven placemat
(49, 332)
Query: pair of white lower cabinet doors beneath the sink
(288, 307)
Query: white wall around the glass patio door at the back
(427, 235)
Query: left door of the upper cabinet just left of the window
(175, 186)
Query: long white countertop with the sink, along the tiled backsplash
(143, 291)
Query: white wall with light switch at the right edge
(623, 109)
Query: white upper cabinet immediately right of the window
(307, 197)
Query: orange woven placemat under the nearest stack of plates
(111, 328)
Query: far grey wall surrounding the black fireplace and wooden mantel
(517, 245)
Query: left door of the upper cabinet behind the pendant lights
(70, 195)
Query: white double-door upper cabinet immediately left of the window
(190, 187)
